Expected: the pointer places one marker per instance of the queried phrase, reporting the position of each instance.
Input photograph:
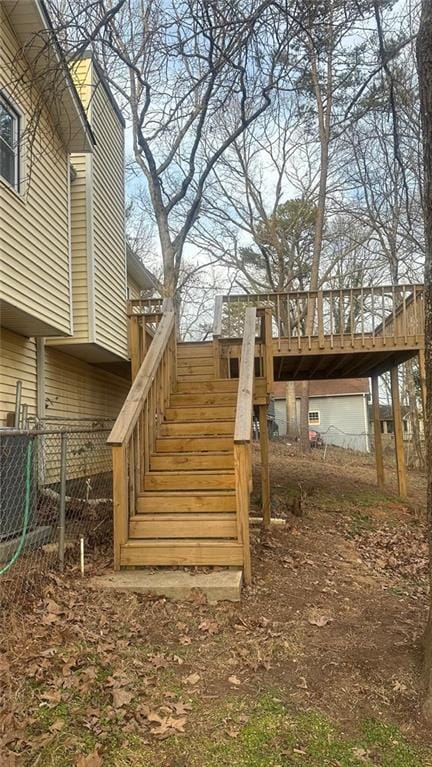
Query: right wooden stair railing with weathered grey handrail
(243, 437)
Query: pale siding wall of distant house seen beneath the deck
(343, 421)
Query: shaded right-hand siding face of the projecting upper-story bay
(108, 225)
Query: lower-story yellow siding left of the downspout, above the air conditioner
(18, 362)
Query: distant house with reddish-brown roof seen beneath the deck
(338, 410)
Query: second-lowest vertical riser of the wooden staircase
(211, 528)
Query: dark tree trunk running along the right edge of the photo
(424, 64)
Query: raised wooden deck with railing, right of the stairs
(353, 333)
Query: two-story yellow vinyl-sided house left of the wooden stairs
(64, 273)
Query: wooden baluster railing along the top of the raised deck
(394, 313)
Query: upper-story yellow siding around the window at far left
(34, 224)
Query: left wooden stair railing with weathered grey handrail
(133, 435)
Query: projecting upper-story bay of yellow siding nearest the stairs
(97, 226)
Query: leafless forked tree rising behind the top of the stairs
(178, 68)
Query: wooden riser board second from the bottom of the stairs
(196, 525)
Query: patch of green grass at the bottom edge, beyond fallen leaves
(268, 735)
